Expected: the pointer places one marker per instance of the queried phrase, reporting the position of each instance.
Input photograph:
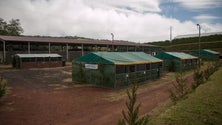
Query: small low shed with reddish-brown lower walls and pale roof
(24, 61)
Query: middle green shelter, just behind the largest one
(177, 61)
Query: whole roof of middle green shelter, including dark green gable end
(179, 55)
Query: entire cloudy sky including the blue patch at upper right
(132, 20)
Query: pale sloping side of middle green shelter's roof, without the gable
(181, 55)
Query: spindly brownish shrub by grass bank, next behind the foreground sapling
(179, 87)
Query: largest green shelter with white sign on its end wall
(116, 69)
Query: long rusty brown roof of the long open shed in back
(69, 40)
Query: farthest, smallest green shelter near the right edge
(207, 55)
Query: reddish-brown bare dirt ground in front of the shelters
(48, 97)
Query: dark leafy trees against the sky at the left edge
(13, 28)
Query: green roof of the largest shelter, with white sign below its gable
(118, 58)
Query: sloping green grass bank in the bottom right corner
(201, 107)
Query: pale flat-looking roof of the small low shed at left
(37, 55)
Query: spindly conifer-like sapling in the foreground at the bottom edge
(131, 117)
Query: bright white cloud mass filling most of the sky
(96, 19)
